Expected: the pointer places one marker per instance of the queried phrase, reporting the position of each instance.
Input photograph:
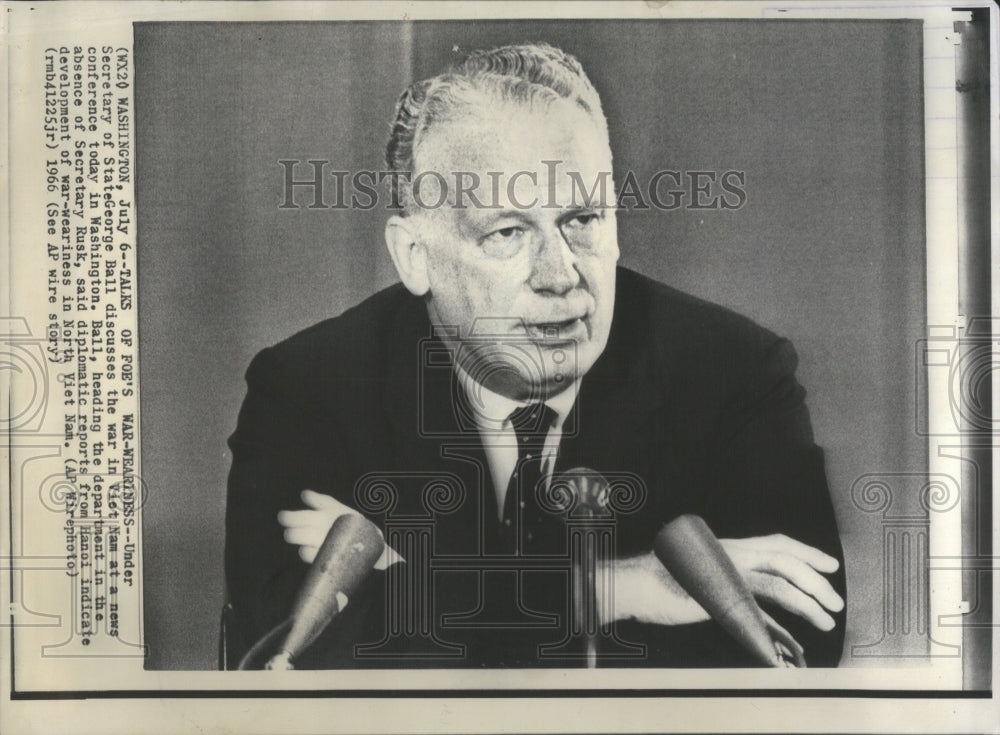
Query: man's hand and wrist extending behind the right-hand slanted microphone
(777, 568)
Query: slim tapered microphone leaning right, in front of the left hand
(344, 561)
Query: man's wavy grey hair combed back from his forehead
(534, 73)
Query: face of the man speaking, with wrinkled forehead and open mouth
(522, 263)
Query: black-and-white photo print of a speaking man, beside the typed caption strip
(718, 333)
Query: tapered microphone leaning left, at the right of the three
(693, 555)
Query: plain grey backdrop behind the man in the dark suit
(824, 117)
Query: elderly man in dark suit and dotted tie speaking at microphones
(515, 349)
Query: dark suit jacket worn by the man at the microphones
(696, 401)
